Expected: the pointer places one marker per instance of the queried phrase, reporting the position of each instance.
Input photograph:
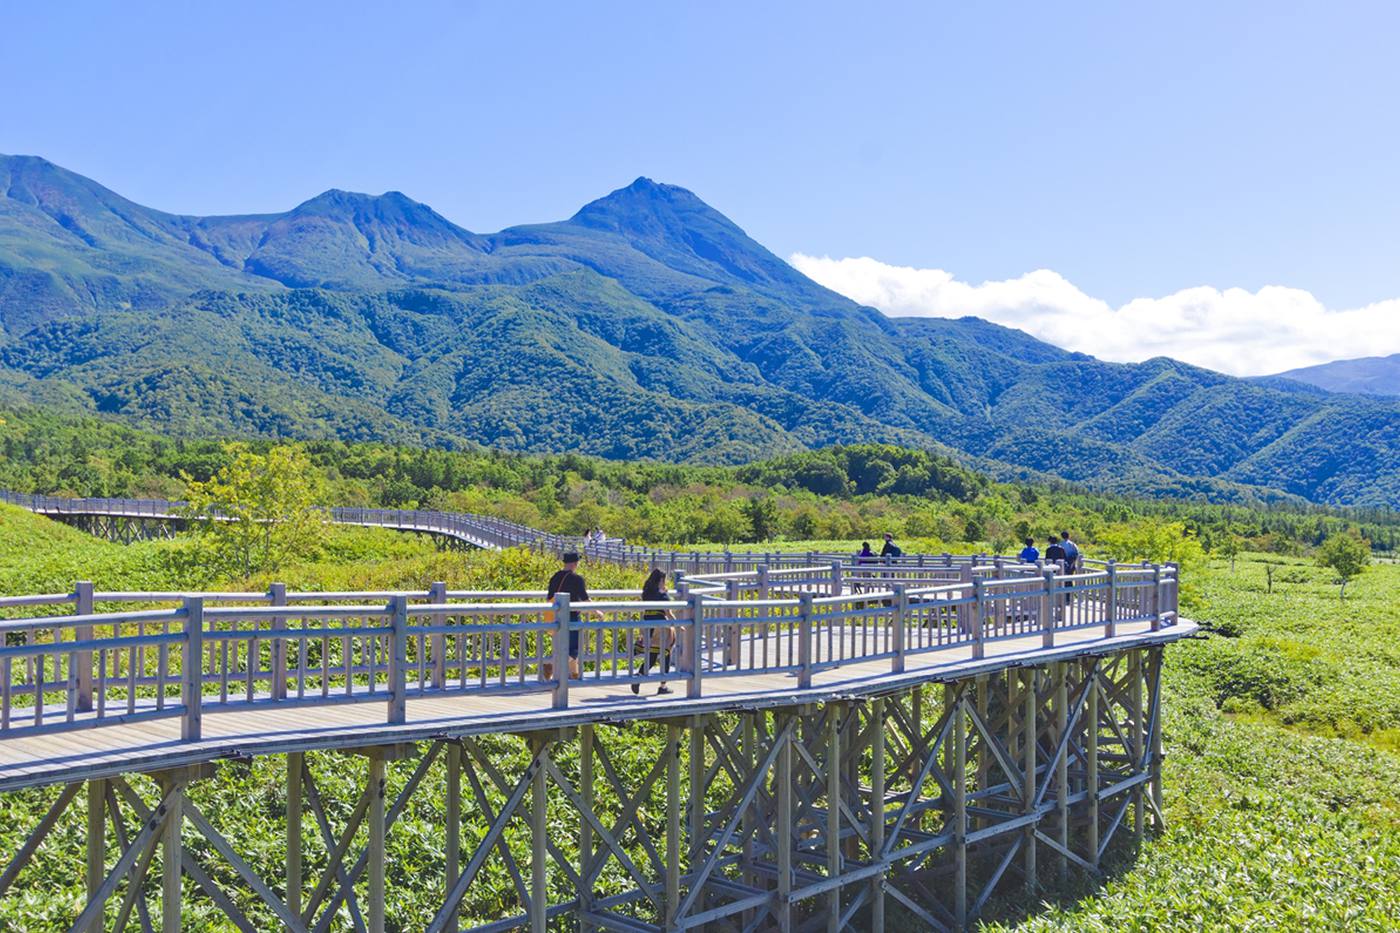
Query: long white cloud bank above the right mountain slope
(1233, 331)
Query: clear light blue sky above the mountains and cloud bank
(1135, 152)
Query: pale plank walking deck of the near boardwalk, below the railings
(264, 728)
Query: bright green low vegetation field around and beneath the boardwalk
(1283, 777)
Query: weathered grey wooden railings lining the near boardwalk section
(181, 655)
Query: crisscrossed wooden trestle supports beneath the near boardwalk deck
(835, 816)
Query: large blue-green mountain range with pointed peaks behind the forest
(646, 326)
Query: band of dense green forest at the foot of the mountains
(838, 494)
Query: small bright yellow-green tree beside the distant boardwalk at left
(258, 511)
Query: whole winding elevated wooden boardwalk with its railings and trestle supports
(850, 735)
